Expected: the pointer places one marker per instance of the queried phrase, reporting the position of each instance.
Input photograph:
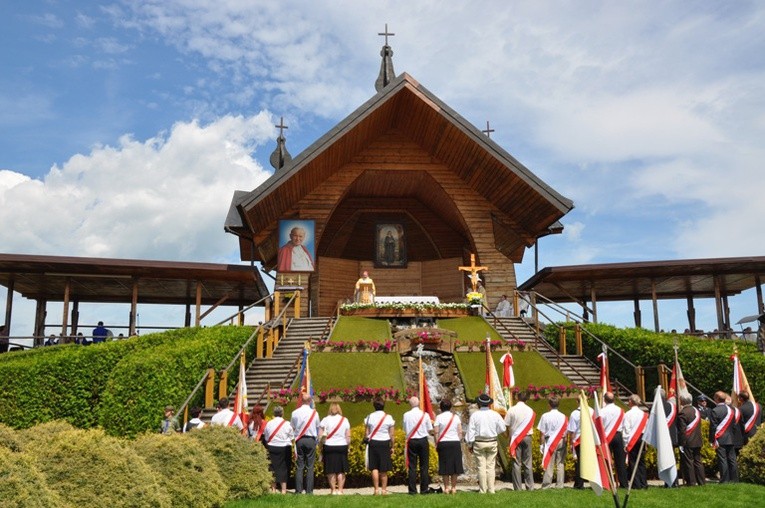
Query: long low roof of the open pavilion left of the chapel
(100, 280)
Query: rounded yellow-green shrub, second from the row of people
(185, 471)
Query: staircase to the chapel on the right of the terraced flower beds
(578, 369)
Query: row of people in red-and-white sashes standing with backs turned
(305, 436)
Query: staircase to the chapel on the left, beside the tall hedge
(265, 371)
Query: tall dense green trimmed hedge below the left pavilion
(120, 385)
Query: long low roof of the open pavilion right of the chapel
(629, 281)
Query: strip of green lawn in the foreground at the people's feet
(713, 495)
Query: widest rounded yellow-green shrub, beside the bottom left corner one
(90, 469)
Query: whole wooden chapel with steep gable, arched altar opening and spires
(406, 189)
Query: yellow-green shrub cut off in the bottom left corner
(22, 485)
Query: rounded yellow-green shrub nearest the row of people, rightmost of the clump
(243, 463)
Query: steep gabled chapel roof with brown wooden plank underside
(528, 207)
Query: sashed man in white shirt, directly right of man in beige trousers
(520, 424)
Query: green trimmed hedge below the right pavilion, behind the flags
(706, 363)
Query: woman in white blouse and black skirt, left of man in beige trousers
(448, 432)
